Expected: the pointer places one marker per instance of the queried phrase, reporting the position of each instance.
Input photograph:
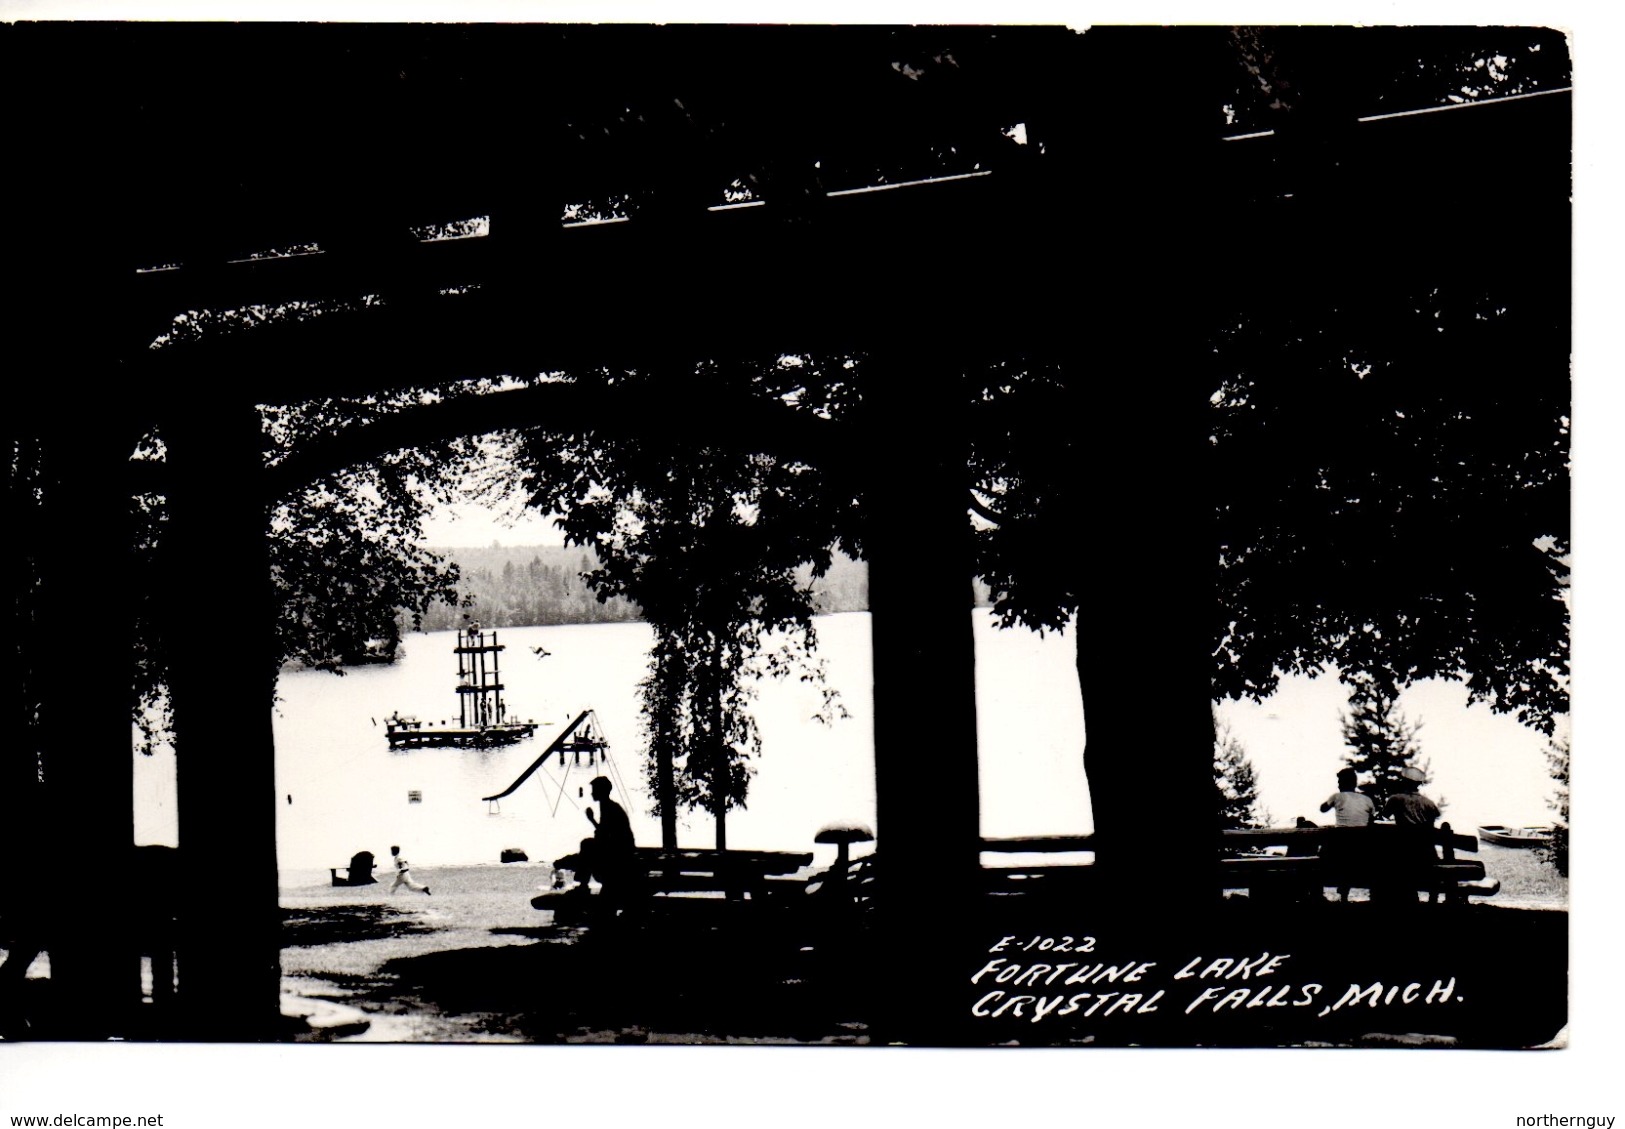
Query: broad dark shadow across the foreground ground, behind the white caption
(1023, 972)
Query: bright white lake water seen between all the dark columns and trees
(350, 792)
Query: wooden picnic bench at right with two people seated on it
(1306, 860)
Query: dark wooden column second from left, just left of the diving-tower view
(220, 618)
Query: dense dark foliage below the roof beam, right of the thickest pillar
(1395, 503)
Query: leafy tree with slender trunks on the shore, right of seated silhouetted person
(713, 542)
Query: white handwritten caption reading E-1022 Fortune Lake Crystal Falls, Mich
(1039, 979)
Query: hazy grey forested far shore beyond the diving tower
(544, 586)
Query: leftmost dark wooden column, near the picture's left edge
(76, 764)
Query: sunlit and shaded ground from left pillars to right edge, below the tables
(474, 962)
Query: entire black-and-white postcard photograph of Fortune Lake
(794, 535)
